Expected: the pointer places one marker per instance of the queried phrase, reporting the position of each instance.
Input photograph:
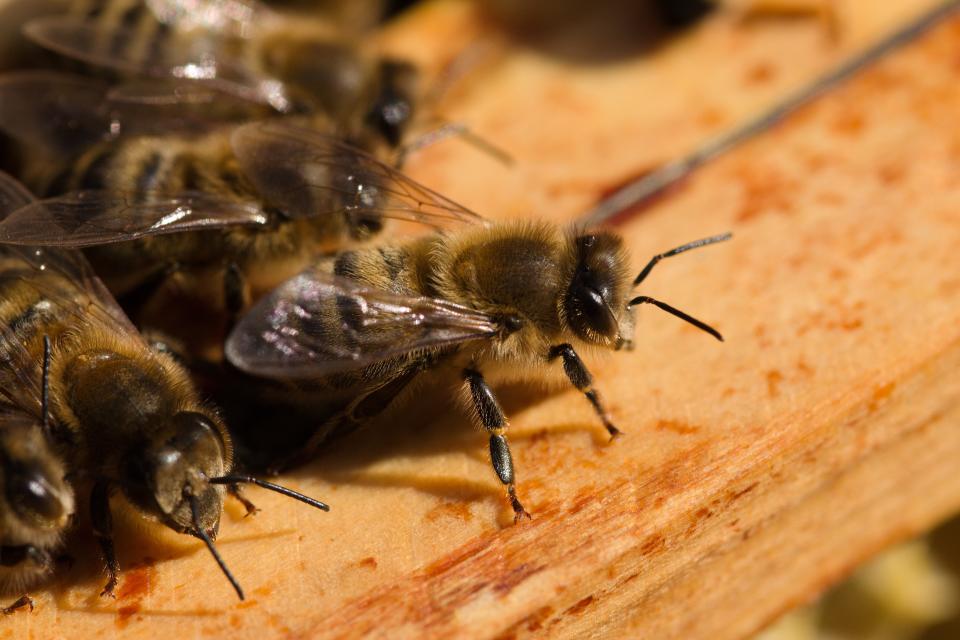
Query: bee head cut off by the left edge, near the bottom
(34, 487)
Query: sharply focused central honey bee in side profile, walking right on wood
(354, 330)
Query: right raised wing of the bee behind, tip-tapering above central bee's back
(309, 173)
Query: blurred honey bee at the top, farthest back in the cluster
(242, 48)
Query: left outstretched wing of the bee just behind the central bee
(88, 218)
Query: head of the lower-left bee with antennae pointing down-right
(174, 469)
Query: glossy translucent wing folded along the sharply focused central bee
(316, 324)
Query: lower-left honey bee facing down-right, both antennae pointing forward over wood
(128, 417)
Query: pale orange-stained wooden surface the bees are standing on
(752, 474)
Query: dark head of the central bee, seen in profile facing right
(594, 306)
